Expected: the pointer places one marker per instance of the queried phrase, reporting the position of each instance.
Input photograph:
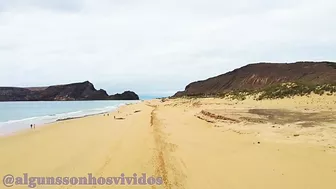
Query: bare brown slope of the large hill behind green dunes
(261, 75)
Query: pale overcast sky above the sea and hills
(156, 47)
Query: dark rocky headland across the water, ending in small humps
(68, 92)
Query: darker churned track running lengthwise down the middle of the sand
(165, 164)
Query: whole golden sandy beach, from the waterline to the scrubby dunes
(190, 143)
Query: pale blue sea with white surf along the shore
(16, 116)
